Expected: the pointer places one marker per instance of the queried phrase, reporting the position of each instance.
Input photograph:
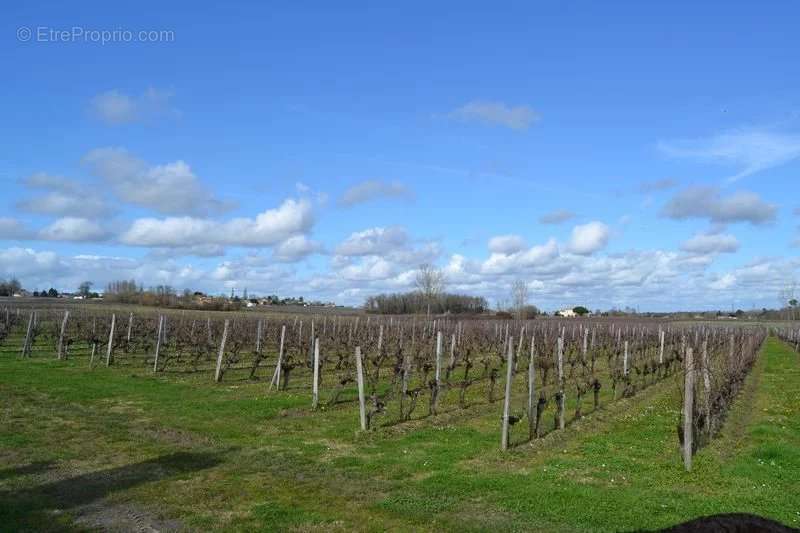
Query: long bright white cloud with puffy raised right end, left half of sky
(292, 217)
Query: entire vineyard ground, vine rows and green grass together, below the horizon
(242, 421)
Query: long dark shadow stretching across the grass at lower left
(30, 508)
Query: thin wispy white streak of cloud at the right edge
(750, 150)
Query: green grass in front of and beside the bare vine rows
(83, 449)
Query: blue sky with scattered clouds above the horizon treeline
(608, 154)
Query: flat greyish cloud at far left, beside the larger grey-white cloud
(61, 197)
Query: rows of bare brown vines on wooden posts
(541, 375)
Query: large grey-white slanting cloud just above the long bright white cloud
(170, 189)
